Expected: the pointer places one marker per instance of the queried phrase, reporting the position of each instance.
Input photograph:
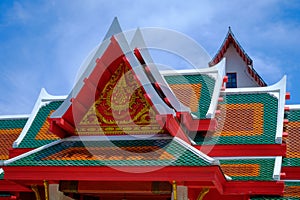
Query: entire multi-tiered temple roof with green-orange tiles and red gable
(127, 121)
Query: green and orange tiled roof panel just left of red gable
(38, 133)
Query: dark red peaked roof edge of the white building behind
(230, 39)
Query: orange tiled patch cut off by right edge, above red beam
(293, 140)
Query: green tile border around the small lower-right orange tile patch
(265, 171)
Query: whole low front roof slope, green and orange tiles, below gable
(138, 152)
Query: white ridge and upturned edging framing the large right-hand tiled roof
(278, 90)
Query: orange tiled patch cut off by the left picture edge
(7, 137)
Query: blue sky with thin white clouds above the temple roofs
(43, 43)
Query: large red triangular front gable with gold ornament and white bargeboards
(116, 98)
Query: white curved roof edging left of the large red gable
(43, 99)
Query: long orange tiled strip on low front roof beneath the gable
(112, 153)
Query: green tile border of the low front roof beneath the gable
(180, 155)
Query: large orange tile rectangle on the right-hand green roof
(240, 120)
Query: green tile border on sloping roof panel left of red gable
(29, 140)
